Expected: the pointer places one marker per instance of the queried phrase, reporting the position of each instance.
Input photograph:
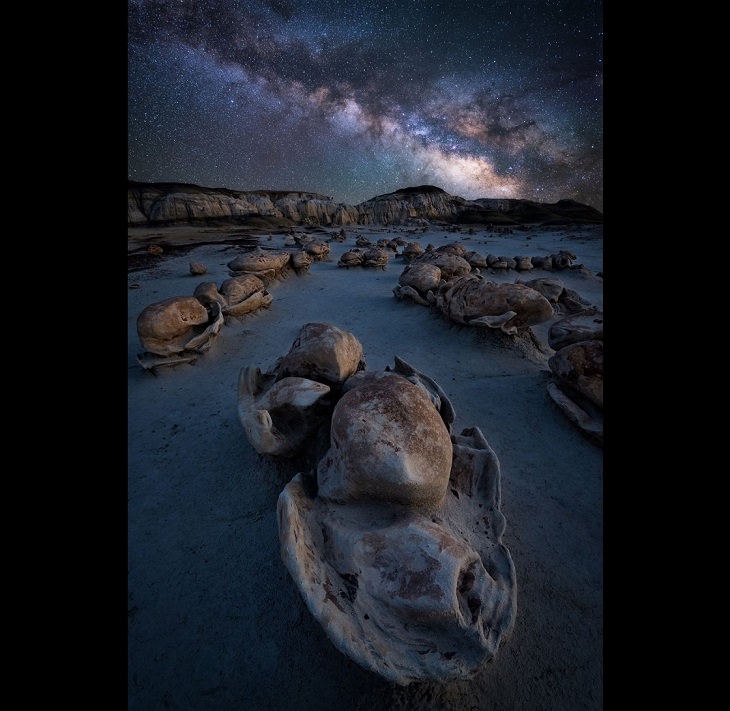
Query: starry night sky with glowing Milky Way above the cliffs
(357, 98)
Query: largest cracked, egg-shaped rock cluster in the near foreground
(394, 536)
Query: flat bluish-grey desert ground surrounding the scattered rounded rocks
(215, 622)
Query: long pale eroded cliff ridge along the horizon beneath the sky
(173, 203)
